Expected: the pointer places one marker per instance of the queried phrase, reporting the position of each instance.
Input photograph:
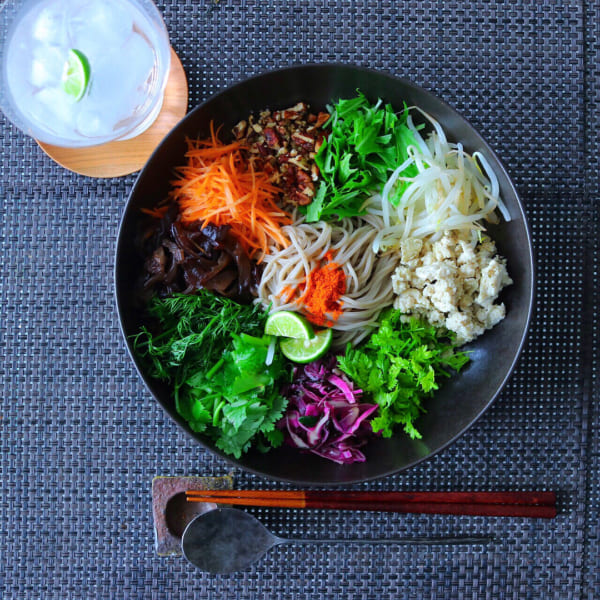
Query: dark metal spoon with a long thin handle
(226, 540)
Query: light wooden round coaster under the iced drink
(114, 159)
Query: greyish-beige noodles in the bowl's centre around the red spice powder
(368, 276)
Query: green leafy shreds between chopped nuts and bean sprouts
(366, 143)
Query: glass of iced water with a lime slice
(82, 72)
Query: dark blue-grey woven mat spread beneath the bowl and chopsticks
(81, 438)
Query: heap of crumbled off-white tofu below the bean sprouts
(452, 282)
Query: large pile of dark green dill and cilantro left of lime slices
(212, 351)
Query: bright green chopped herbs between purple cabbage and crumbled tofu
(399, 367)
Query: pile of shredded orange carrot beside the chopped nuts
(218, 186)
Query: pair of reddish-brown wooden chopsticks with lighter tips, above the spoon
(518, 504)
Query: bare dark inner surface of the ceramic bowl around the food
(464, 398)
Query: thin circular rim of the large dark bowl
(528, 256)
